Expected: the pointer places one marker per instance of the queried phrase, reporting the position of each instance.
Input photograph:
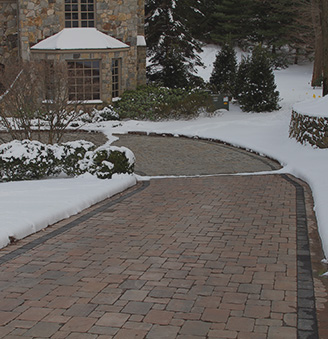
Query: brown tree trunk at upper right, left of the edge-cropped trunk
(318, 53)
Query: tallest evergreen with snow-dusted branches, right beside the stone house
(171, 48)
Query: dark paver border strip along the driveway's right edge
(307, 324)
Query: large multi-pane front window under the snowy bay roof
(84, 80)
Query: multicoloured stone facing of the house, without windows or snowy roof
(39, 19)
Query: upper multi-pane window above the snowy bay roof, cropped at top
(79, 13)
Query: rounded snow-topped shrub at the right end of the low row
(107, 160)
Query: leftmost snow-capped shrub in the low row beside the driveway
(26, 160)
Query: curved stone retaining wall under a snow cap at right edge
(309, 129)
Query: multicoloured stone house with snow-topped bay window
(102, 42)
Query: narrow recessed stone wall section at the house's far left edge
(9, 47)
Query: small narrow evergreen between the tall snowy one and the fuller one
(224, 72)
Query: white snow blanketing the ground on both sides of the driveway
(26, 207)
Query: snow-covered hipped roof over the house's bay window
(79, 38)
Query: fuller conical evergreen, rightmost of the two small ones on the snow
(258, 91)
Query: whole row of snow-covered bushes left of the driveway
(28, 160)
